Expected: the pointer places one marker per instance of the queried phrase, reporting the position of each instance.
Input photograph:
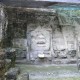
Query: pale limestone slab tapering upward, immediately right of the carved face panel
(58, 39)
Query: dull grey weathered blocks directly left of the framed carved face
(21, 47)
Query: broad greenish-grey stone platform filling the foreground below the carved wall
(49, 72)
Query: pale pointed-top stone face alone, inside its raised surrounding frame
(40, 39)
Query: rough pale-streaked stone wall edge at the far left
(3, 24)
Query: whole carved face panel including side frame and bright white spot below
(39, 41)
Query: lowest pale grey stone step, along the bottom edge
(48, 75)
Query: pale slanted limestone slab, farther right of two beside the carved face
(69, 36)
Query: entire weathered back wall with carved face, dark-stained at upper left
(43, 33)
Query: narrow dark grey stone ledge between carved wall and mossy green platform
(54, 61)
